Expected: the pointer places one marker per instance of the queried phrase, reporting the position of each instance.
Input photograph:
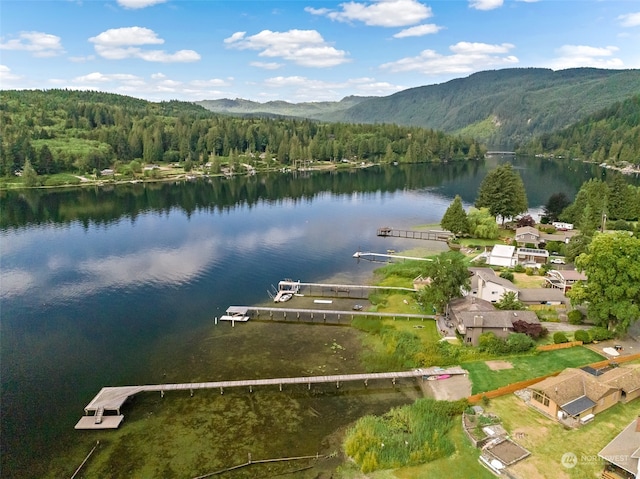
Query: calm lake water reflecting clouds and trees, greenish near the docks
(118, 286)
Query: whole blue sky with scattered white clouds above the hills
(300, 50)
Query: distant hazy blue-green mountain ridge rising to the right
(502, 108)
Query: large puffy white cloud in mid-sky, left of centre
(302, 47)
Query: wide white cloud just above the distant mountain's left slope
(467, 57)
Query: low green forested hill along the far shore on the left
(85, 132)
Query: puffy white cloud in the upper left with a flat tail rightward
(122, 43)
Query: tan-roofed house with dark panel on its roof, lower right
(576, 395)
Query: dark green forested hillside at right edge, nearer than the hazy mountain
(612, 136)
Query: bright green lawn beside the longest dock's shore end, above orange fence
(527, 367)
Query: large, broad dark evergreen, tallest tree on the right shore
(503, 192)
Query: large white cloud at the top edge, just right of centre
(379, 13)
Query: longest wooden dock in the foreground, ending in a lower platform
(111, 399)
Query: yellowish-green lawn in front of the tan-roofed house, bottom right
(547, 440)
